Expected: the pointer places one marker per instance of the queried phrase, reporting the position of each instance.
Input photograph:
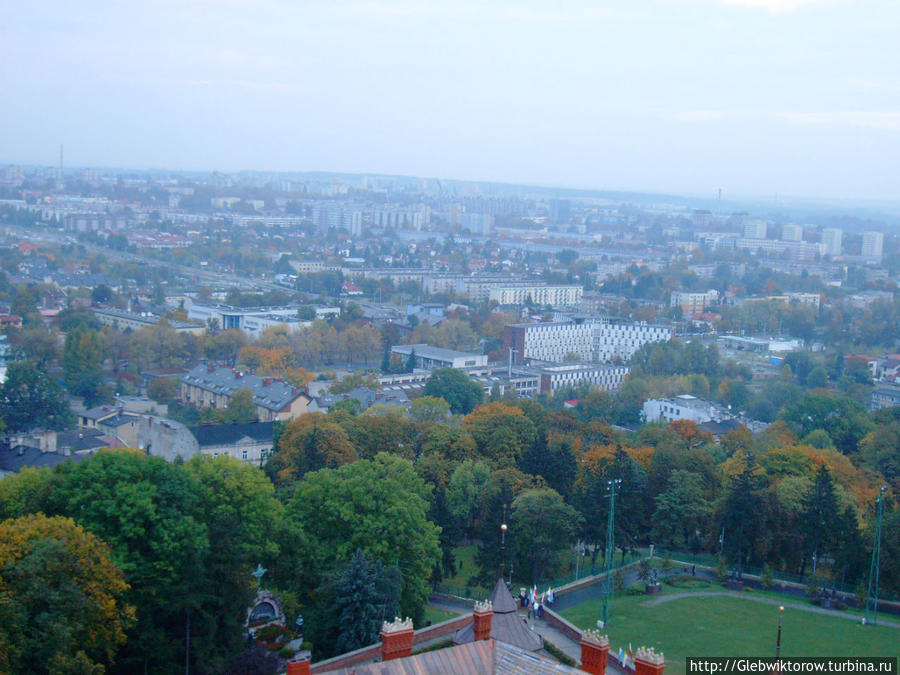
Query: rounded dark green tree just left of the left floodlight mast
(542, 523)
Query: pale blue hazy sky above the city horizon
(756, 97)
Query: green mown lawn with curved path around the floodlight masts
(721, 625)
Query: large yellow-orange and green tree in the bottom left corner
(61, 606)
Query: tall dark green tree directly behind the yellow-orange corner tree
(144, 508)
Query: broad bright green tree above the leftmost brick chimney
(379, 506)
